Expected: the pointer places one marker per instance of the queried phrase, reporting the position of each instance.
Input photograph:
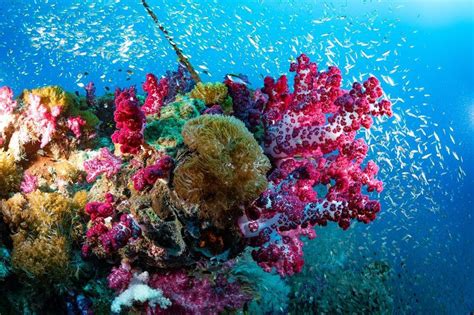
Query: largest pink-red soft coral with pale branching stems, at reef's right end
(310, 136)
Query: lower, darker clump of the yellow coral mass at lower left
(41, 256)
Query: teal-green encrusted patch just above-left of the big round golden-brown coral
(164, 133)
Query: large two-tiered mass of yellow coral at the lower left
(41, 223)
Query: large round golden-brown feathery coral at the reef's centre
(225, 167)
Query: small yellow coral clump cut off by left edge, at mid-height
(10, 174)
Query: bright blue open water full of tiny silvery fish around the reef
(425, 50)
